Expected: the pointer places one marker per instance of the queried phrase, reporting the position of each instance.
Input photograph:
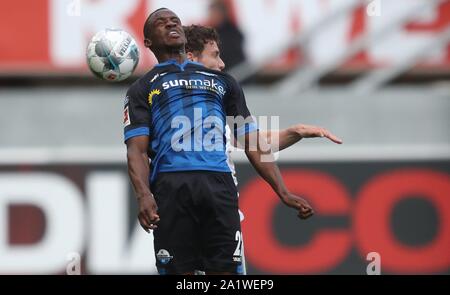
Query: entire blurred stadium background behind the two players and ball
(376, 73)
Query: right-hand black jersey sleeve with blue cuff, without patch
(238, 114)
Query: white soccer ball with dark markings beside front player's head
(112, 55)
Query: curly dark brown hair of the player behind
(198, 36)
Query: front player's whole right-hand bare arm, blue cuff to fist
(260, 156)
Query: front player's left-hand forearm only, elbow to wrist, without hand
(138, 171)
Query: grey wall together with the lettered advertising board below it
(64, 189)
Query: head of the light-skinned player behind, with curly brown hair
(203, 46)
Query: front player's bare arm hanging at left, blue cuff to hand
(138, 170)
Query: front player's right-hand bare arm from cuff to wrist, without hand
(261, 158)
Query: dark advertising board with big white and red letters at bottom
(399, 209)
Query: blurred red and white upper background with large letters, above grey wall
(332, 42)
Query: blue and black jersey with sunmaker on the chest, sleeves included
(183, 109)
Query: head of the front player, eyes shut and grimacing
(163, 31)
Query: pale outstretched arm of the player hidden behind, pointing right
(293, 134)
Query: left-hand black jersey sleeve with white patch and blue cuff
(136, 113)
